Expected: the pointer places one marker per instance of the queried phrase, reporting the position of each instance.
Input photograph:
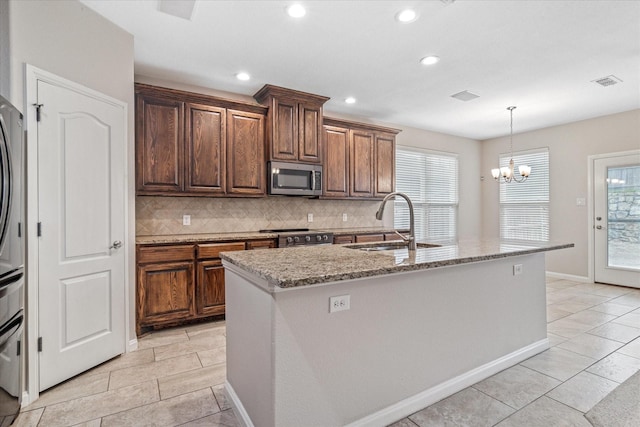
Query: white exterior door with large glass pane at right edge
(617, 220)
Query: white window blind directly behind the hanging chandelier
(524, 207)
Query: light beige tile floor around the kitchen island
(176, 377)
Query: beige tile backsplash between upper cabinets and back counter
(163, 215)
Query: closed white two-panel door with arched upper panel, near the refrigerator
(81, 196)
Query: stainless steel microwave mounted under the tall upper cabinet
(295, 179)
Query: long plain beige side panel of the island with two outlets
(404, 334)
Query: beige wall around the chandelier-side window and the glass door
(570, 146)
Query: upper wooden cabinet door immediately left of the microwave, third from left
(245, 153)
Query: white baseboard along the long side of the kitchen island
(408, 406)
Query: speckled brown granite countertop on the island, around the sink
(309, 265)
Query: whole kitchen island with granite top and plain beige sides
(415, 328)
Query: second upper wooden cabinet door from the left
(206, 146)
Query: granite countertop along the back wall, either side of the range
(244, 235)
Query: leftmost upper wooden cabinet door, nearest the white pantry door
(159, 145)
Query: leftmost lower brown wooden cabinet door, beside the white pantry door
(165, 292)
